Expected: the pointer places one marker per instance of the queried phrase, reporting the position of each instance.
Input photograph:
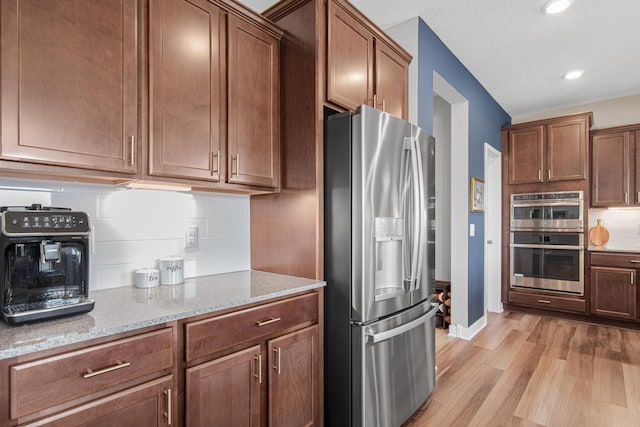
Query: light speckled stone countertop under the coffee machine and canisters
(128, 308)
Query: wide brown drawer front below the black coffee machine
(54, 380)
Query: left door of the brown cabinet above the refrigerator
(349, 60)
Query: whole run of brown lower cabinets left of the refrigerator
(253, 366)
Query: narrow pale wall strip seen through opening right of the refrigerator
(442, 134)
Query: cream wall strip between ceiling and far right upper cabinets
(606, 114)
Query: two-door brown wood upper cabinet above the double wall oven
(549, 150)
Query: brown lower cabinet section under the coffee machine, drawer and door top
(114, 382)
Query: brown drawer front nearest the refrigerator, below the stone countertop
(209, 336)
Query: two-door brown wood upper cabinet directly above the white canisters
(193, 98)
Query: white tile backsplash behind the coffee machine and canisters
(132, 229)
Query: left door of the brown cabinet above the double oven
(525, 155)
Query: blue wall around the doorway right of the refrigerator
(486, 117)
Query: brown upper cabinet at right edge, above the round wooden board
(615, 167)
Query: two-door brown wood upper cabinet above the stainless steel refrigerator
(363, 65)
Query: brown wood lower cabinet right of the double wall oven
(614, 278)
